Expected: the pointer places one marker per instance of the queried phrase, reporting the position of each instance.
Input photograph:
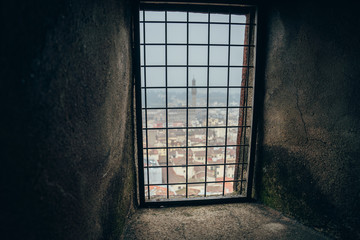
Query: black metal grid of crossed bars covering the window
(226, 129)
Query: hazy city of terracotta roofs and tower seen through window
(165, 152)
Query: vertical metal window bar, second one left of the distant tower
(166, 104)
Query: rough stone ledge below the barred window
(227, 221)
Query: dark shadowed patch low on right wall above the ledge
(287, 184)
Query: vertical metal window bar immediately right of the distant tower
(207, 103)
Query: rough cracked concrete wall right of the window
(311, 115)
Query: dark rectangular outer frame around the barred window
(215, 7)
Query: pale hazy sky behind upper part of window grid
(198, 55)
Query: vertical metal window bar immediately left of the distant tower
(187, 102)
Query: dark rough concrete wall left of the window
(67, 167)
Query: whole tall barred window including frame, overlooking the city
(196, 84)
